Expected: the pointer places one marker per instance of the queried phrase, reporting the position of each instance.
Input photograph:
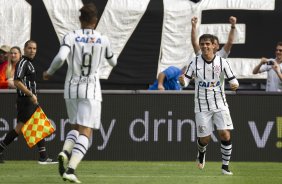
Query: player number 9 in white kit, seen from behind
(84, 50)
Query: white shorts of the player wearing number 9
(85, 112)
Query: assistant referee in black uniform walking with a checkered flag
(25, 82)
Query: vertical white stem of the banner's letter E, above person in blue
(176, 43)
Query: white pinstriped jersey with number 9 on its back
(83, 50)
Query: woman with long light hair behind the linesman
(14, 57)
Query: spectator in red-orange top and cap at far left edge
(4, 54)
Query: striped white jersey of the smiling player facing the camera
(209, 94)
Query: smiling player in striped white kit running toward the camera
(211, 107)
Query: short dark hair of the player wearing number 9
(88, 13)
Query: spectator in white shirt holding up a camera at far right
(273, 69)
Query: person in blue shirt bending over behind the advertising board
(168, 79)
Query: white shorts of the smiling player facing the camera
(205, 122)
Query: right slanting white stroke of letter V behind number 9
(118, 22)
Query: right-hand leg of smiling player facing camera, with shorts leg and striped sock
(224, 125)
